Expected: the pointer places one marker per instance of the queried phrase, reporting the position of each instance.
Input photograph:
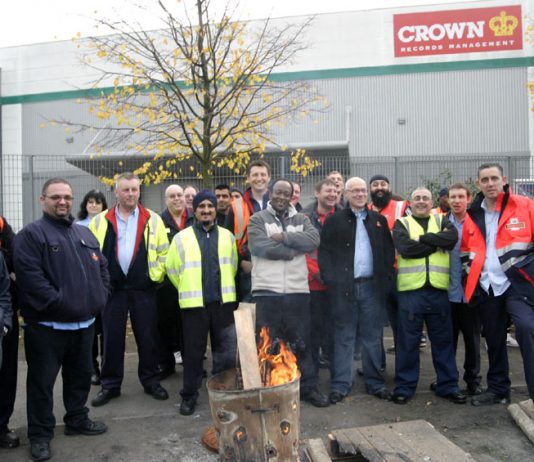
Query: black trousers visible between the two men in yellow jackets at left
(169, 323)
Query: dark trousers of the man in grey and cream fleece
(288, 318)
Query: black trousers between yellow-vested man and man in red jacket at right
(465, 320)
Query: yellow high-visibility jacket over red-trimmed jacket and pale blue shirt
(155, 237)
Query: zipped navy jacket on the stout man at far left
(61, 273)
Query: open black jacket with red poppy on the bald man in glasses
(336, 253)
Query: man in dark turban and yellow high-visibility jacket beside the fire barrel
(202, 263)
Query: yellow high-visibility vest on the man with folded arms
(412, 272)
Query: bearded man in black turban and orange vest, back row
(383, 203)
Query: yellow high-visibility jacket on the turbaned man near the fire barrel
(184, 267)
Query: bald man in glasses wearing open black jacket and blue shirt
(356, 261)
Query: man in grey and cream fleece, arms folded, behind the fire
(279, 239)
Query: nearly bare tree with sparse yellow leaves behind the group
(199, 88)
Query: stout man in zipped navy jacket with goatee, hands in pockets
(63, 282)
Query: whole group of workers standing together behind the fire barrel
(326, 278)
